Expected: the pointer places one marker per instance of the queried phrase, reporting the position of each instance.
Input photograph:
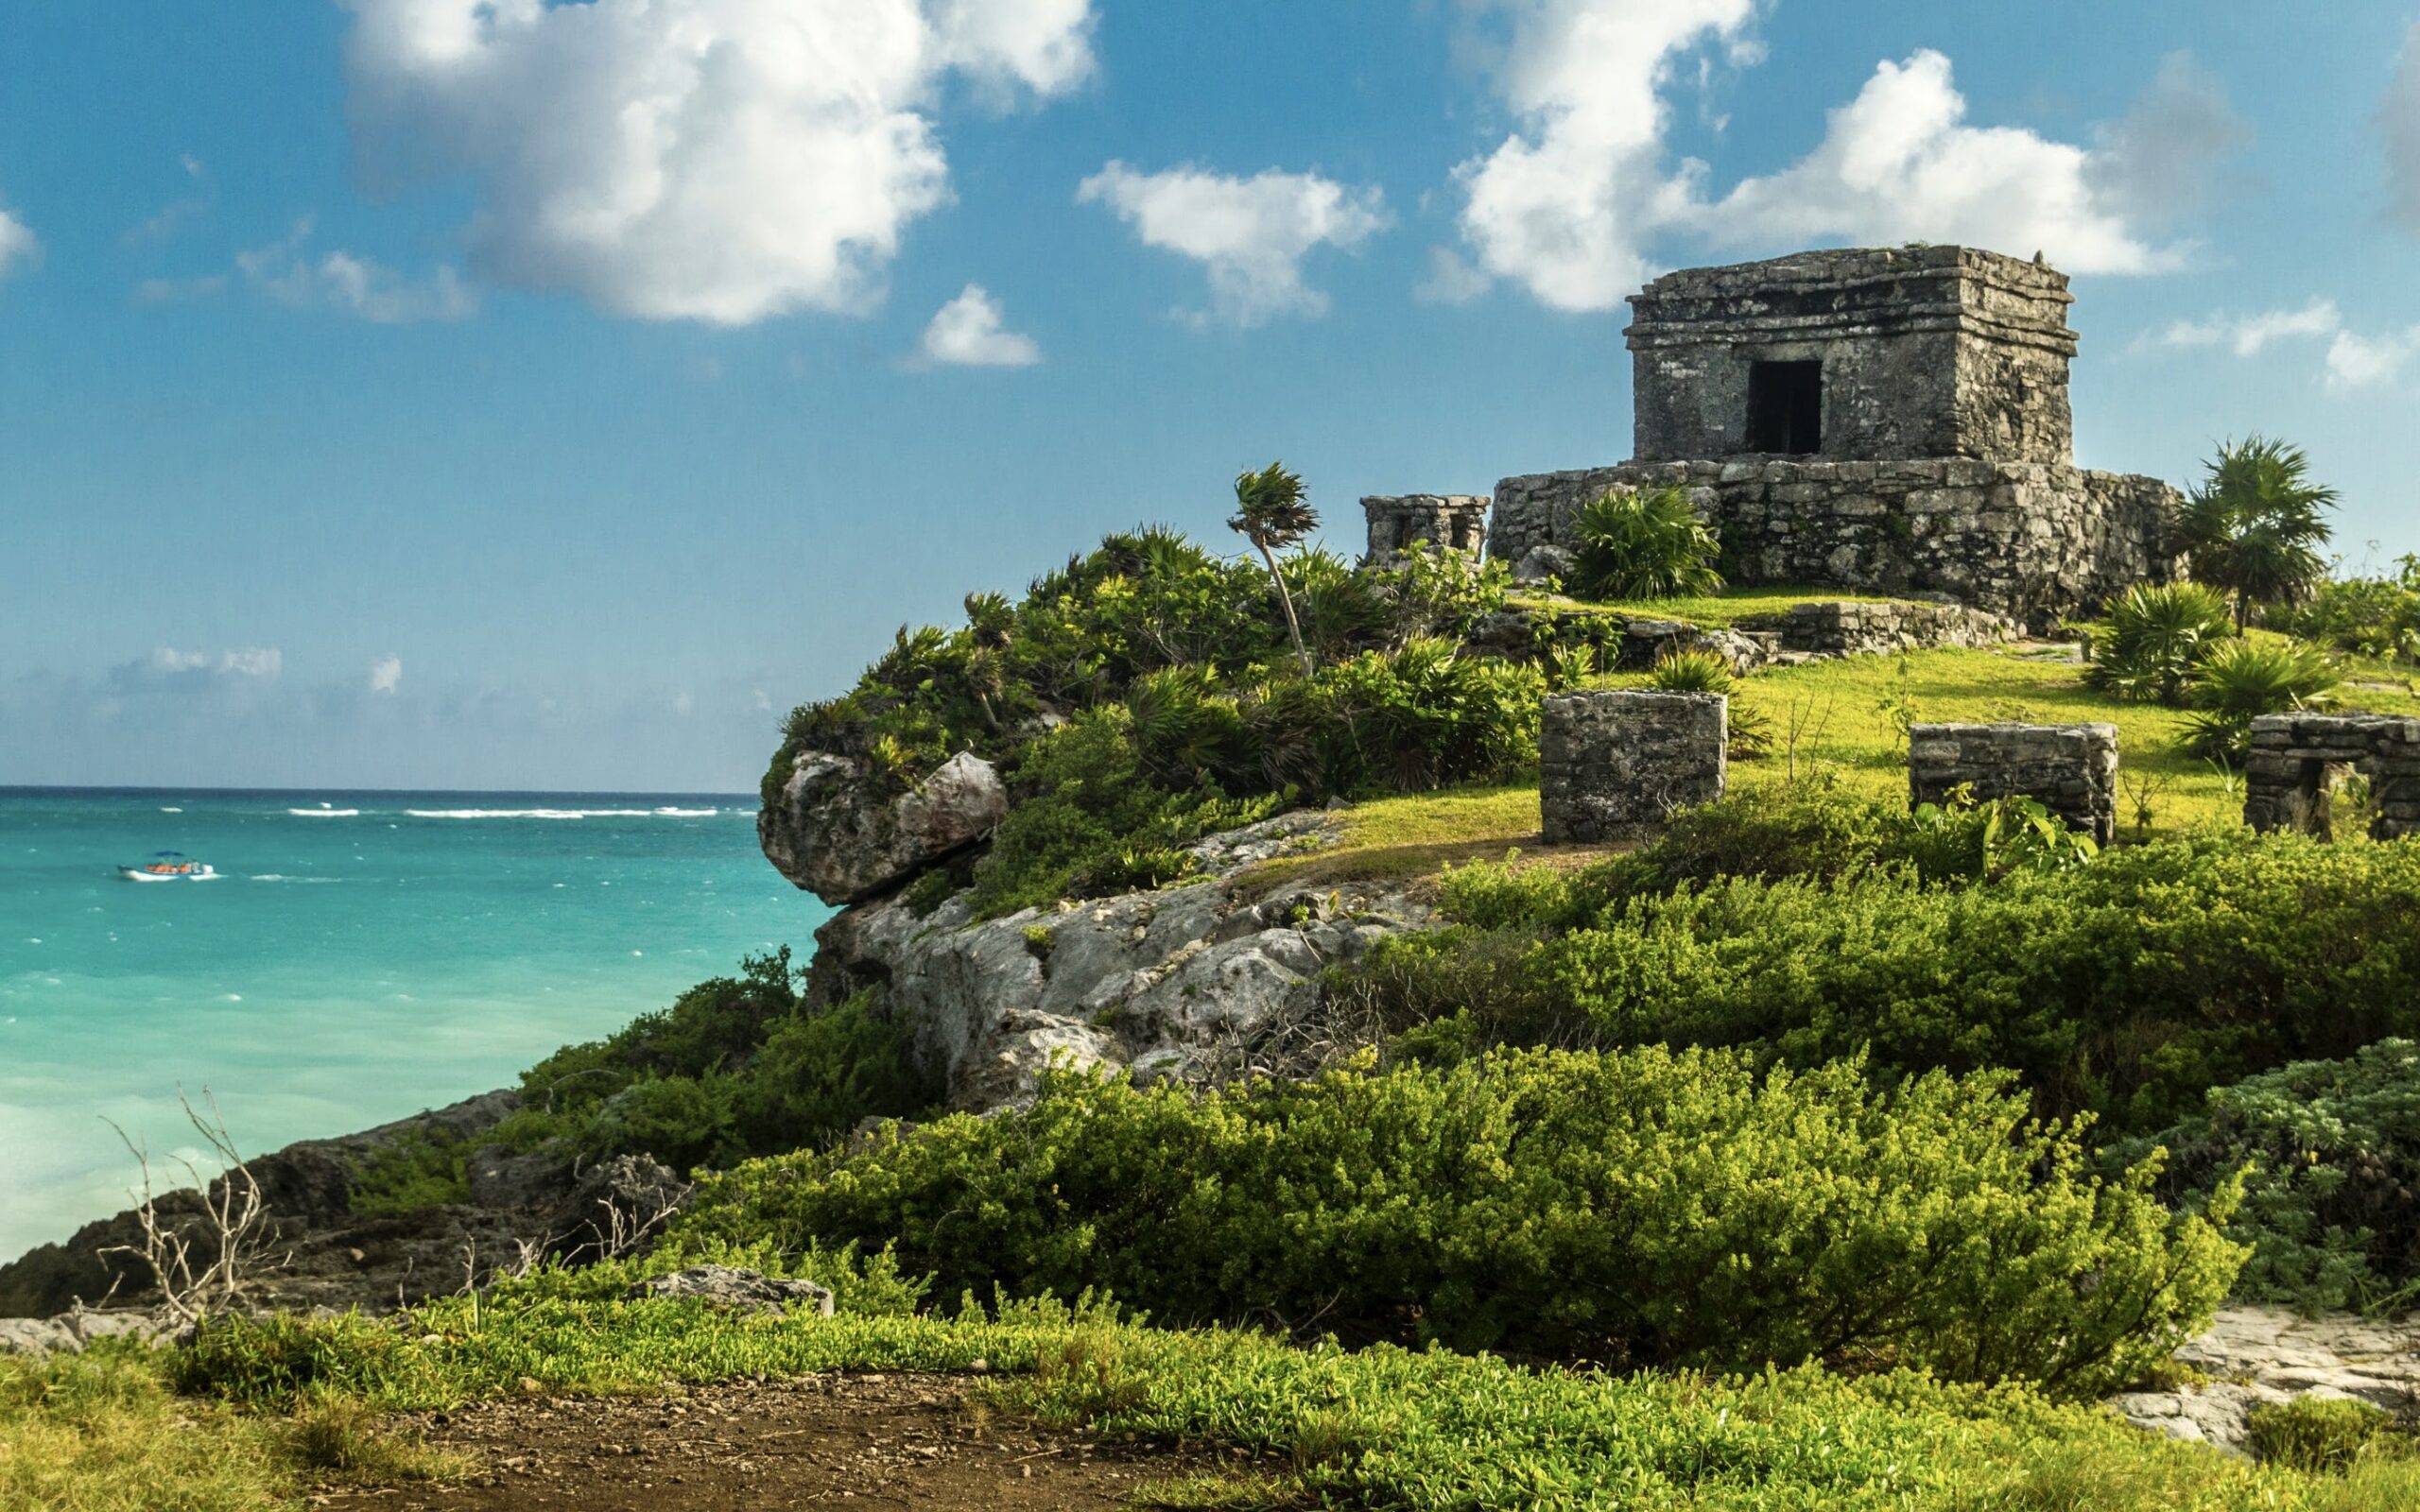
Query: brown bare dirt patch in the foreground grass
(822, 1443)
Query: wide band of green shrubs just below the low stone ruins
(2124, 988)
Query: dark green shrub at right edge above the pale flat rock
(2332, 1208)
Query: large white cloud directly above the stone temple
(1581, 200)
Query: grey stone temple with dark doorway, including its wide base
(1874, 420)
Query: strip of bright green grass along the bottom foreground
(1325, 1426)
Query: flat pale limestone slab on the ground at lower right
(2264, 1356)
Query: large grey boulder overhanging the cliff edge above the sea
(839, 838)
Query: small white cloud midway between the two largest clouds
(1250, 233)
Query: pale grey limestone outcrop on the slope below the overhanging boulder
(1175, 983)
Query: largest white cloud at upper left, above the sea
(715, 161)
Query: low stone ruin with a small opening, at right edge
(2300, 766)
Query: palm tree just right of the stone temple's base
(2257, 524)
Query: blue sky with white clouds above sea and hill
(420, 393)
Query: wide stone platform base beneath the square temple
(2032, 541)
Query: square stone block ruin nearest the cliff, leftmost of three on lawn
(1615, 766)
